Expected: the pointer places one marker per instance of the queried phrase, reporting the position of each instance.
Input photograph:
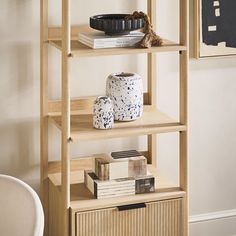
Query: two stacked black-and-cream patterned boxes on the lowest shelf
(119, 174)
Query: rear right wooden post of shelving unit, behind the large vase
(151, 60)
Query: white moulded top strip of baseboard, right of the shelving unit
(212, 216)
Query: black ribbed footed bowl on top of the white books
(115, 24)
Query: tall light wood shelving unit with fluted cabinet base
(69, 207)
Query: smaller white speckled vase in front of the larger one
(103, 113)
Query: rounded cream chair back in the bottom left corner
(21, 212)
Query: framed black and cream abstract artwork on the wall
(215, 28)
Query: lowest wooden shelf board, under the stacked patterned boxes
(82, 199)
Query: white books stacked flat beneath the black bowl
(100, 40)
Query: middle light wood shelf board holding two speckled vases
(152, 121)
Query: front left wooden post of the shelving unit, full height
(65, 134)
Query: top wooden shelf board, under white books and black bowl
(80, 50)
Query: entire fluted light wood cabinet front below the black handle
(161, 218)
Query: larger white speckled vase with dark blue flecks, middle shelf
(126, 92)
